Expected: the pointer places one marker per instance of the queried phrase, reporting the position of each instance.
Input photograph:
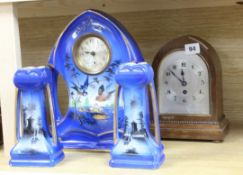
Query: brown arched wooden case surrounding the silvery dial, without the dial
(201, 127)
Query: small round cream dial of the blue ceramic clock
(91, 54)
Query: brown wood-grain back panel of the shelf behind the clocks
(222, 27)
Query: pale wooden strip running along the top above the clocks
(42, 8)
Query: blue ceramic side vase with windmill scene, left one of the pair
(36, 145)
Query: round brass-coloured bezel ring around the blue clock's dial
(76, 56)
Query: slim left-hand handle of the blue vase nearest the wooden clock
(115, 121)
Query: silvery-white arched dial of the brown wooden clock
(183, 85)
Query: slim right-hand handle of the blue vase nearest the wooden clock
(155, 112)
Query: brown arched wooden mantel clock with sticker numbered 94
(189, 90)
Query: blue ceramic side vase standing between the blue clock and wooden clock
(137, 147)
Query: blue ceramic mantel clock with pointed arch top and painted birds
(86, 55)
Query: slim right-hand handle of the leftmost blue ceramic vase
(53, 123)
